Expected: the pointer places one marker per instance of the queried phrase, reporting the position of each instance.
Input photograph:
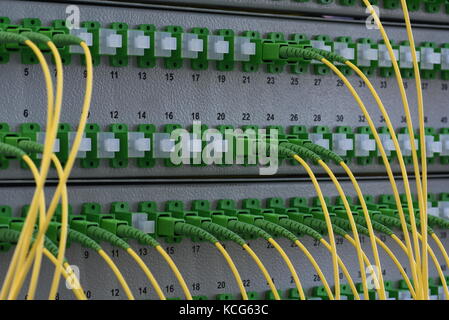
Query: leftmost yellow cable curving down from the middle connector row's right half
(328, 223)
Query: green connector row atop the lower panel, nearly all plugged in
(158, 219)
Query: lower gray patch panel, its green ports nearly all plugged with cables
(192, 256)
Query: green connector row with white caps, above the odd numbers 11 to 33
(200, 47)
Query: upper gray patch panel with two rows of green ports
(224, 77)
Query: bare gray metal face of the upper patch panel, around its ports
(129, 95)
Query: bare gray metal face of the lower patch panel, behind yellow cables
(207, 267)
